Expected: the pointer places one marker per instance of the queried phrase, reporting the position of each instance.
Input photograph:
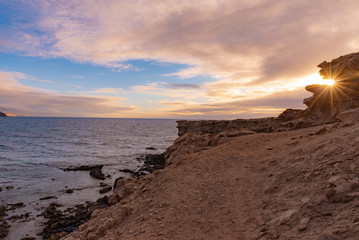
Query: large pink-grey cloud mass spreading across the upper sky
(250, 51)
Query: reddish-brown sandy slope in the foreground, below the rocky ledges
(261, 186)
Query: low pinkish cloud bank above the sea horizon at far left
(19, 99)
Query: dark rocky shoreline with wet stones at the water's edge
(48, 222)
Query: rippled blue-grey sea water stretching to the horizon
(34, 150)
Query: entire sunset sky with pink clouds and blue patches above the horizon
(204, 59)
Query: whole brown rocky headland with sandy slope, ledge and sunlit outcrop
(295, 176)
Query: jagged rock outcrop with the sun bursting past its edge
(328, 101)
